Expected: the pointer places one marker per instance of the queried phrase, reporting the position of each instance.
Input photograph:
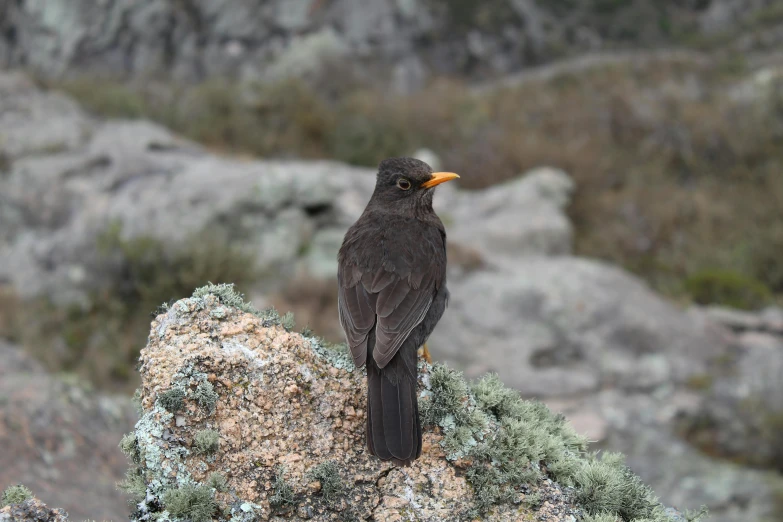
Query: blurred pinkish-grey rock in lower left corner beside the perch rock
(59, 439)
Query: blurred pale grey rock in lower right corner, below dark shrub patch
(640, 425)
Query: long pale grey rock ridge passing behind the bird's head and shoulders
(136, 180)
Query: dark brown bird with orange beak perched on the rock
(392, 293)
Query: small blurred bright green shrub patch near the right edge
(727, 288)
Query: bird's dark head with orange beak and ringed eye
(404, 182)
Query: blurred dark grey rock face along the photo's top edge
(399, 42)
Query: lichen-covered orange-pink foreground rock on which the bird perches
(244, 420)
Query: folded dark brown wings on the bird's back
(396, 295)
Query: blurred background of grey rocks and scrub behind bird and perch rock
(615, 239)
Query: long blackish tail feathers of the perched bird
(393, 428)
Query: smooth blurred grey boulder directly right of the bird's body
(577, 326)
